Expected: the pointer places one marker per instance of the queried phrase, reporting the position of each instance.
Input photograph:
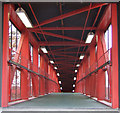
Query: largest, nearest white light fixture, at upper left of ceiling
(24, 17)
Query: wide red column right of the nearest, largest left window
(24, 73)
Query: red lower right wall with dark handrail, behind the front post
(98, 73)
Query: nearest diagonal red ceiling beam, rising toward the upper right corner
(75, 12)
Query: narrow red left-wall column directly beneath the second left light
(42, 80)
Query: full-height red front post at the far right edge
(114, 76)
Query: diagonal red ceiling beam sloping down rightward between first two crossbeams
(57, 35)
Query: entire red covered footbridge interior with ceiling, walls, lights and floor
(62, 52)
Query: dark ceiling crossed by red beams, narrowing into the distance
(62, 28)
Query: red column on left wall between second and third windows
(35, 68)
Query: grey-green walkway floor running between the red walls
(61, 101)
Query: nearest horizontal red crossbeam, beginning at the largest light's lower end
(61, 28)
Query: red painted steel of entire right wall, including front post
(94, 85)
